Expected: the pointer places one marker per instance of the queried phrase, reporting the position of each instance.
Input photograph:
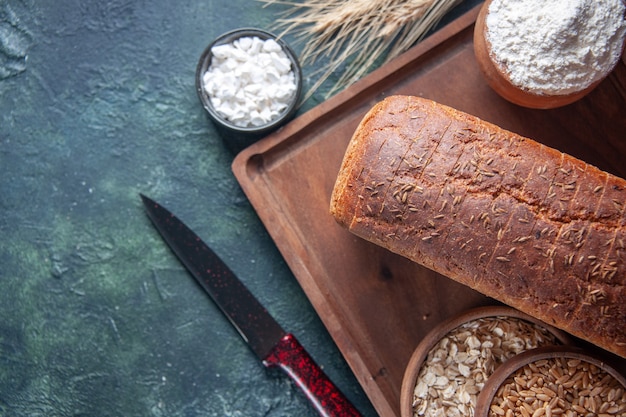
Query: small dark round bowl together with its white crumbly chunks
(249, 81)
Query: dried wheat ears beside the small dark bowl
(357, 33)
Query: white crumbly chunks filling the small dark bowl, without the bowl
(250, 81)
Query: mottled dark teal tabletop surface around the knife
(97, 318)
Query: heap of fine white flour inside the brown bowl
(556, 47)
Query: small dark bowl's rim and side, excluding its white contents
(226, 125)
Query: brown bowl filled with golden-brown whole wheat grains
(554, 381)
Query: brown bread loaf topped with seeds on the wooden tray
(518, 221)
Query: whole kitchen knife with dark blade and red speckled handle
(274, 346)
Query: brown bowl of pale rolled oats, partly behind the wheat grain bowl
(451, 365)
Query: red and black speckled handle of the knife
(291, 357)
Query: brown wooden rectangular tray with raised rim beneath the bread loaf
(376, 305)
